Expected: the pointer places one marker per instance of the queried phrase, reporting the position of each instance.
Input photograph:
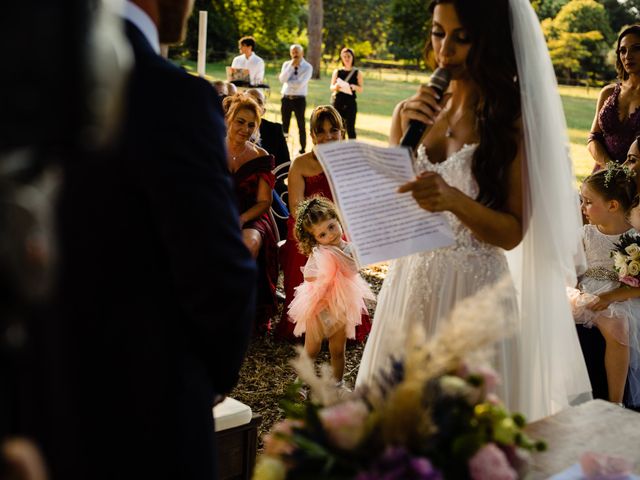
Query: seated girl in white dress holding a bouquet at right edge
(604, 297)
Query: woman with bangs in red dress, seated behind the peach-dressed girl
(306, 178)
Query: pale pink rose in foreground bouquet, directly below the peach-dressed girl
(345, 423)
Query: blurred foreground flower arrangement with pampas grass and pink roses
(434, 416)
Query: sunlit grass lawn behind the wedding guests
(384, 88)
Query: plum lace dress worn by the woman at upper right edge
(616, 136)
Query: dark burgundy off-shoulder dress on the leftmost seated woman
(246, 180)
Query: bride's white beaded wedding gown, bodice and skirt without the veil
(423, 288)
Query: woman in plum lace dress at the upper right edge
(617, 120)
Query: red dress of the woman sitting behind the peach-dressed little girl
(293, 261)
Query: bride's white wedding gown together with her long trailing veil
(542, 368)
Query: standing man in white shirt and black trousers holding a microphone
(295, 76)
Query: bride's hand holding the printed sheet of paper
(432, 193)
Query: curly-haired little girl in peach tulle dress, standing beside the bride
(329, 303)
